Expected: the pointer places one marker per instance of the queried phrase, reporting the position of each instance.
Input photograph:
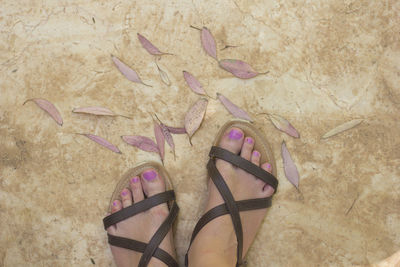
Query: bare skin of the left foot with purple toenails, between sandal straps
(142, 226)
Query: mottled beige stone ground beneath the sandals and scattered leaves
(329, 61)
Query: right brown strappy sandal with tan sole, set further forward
(231, 206)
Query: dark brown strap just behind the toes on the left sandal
(138, 207)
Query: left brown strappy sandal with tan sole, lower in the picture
(150, 249)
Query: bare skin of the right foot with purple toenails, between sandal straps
(216, 242)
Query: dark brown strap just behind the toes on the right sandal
(248, 166)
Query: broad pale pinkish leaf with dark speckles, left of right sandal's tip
(195, 116)
